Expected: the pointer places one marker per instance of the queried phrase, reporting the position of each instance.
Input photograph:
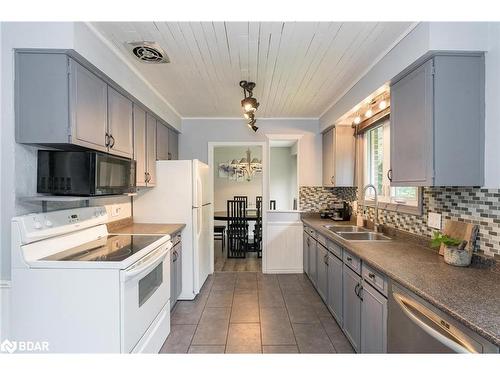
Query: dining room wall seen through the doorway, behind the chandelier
(225, 189)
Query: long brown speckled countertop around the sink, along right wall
(470, 295)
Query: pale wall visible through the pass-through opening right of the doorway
(282, 177)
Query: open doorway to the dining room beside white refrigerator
(236, 170)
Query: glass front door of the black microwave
(113, 174)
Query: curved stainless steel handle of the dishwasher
(457, 346)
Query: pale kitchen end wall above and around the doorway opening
(196, 133)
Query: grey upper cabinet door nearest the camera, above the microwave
(88, 108)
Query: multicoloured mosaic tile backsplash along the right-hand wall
(469, 204)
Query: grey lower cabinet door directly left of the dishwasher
(373, 321)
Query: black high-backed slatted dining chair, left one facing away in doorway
(237, 229)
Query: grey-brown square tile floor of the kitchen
(250, 312)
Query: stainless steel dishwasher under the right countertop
(415, 326)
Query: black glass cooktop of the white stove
(113, 248)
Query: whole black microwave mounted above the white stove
(84, 173)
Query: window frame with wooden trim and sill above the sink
(369, 199)
